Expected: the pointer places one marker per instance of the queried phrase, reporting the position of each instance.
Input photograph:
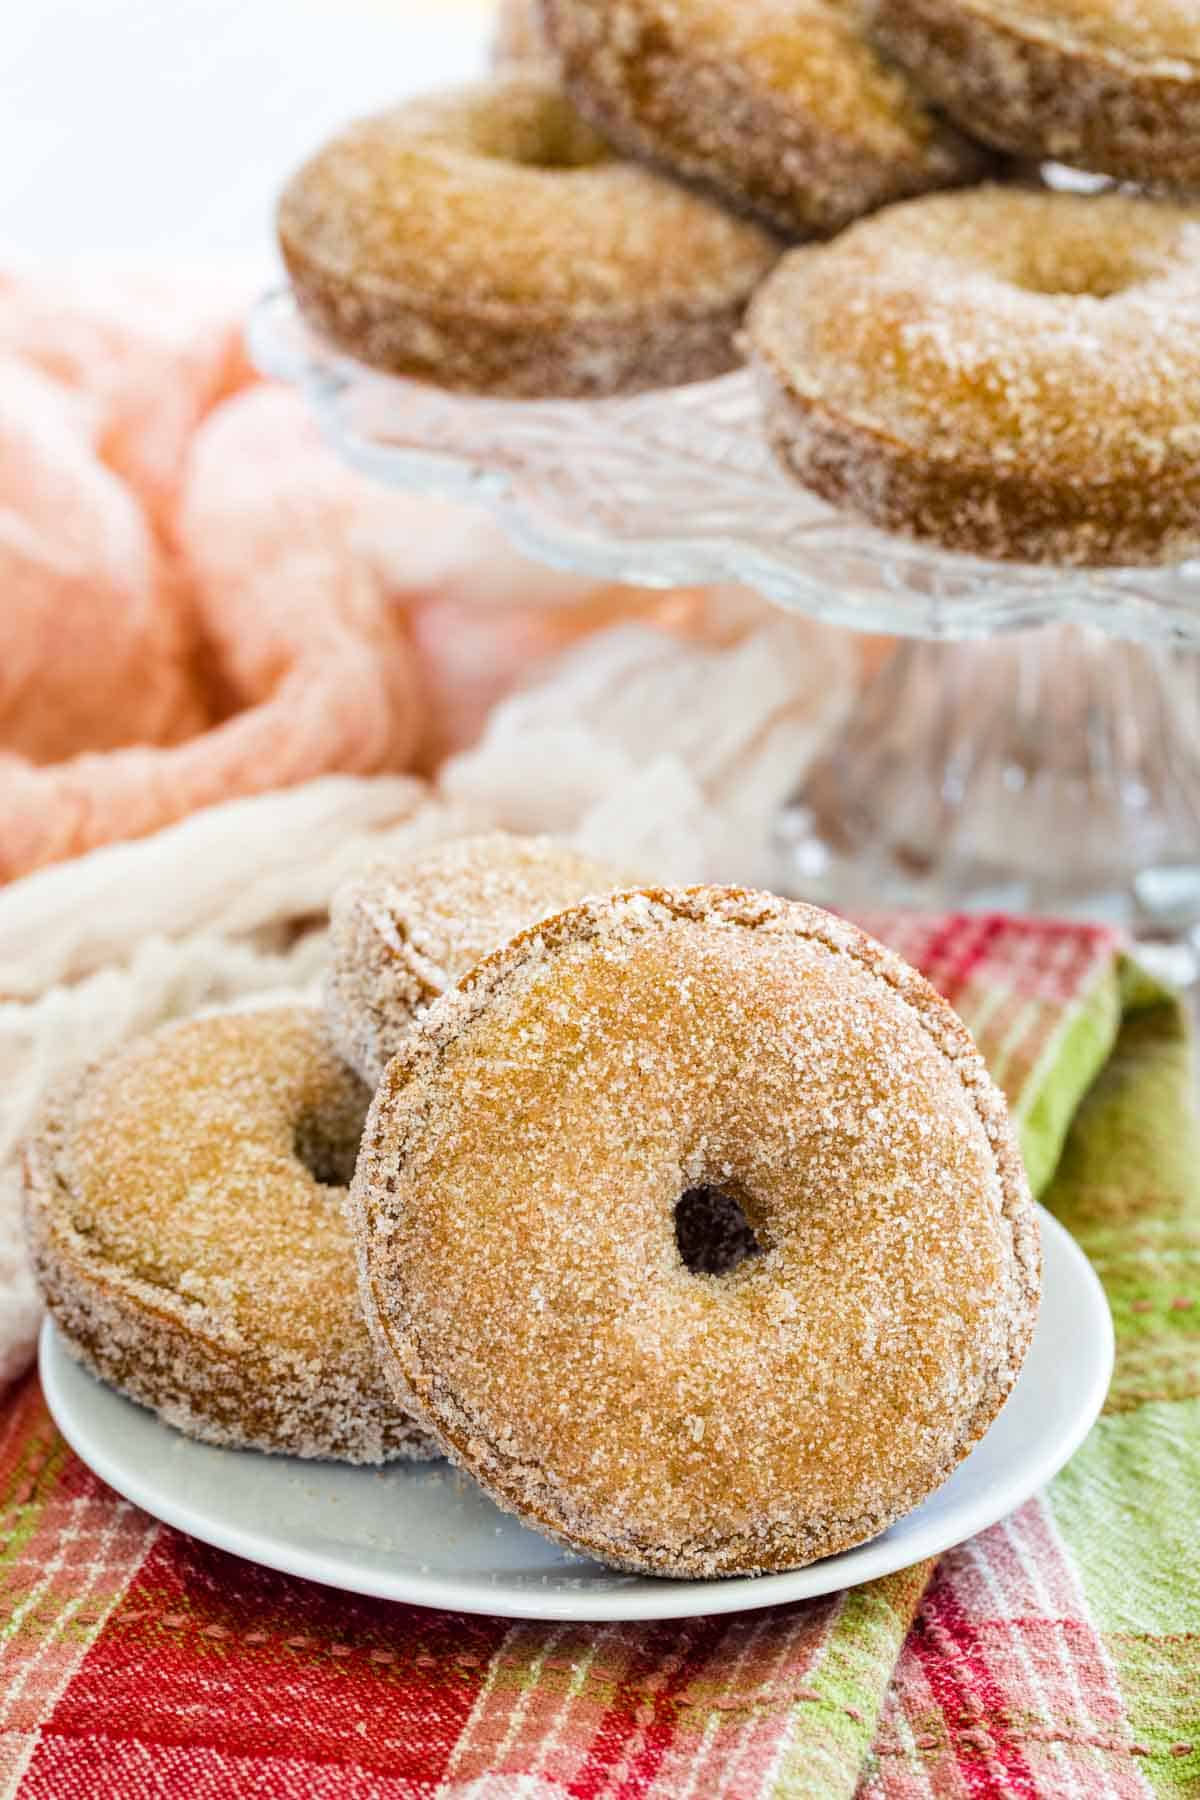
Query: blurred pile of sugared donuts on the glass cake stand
(953, 339)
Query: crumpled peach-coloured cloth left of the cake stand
(199, 600)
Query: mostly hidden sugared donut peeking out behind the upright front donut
(400, 937)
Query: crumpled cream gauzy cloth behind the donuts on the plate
(652, 753)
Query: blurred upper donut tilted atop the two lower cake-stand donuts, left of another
(782, 109)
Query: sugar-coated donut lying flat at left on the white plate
(186, 1216)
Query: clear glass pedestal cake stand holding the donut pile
(1032, 746)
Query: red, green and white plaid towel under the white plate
(1055, 1655)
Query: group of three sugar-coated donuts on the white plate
(686, 1221)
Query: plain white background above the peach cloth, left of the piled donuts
(166, 127)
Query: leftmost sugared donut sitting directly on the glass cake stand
(487, 240)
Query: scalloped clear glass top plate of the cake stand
(670, 489)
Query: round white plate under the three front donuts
(427, 1534)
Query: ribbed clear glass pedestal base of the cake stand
(1048, 771)
